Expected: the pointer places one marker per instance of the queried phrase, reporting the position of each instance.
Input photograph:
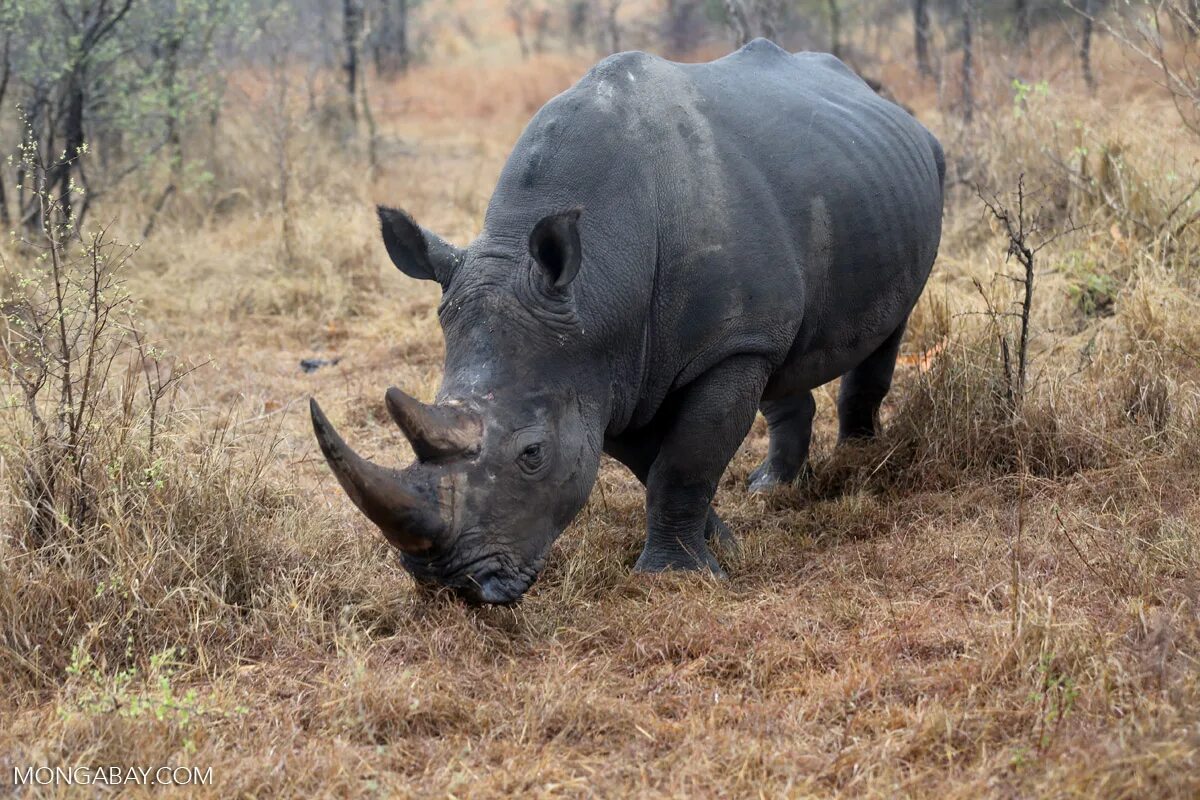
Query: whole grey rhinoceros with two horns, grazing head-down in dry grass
(670, 249)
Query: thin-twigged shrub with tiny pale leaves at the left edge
(69, 333)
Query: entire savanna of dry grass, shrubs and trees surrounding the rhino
(998, 598)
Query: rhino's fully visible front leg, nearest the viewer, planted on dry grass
(713, 419)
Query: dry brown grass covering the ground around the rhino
(980, 604)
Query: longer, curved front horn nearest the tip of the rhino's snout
(409, 518)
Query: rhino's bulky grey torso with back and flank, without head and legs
(763, 203)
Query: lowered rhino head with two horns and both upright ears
(508, 453)
